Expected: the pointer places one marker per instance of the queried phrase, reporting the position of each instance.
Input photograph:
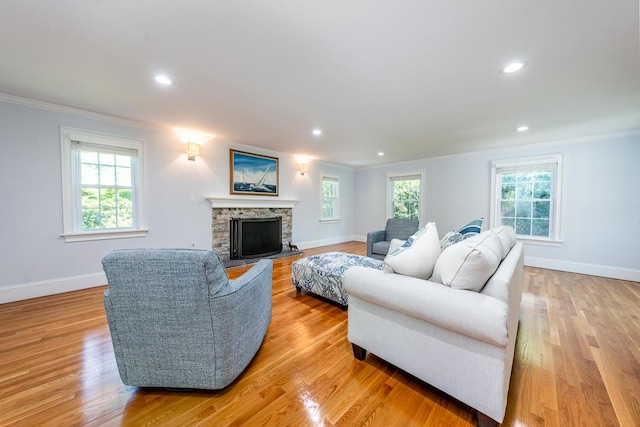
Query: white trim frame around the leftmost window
(71, 229)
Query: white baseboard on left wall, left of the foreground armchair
(50, 287)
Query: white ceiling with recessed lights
(413, 79)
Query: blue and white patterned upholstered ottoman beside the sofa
(322, 274)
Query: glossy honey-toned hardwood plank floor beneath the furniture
(577, 364)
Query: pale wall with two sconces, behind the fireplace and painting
(35, 260)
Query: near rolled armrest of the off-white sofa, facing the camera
(478, 316)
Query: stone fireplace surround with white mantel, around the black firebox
(224, 209)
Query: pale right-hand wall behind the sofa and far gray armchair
(601, 208)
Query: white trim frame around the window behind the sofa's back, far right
(532, 161)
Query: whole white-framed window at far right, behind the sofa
(526, 194)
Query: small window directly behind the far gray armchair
(404, 196)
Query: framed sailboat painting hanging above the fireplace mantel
(253, 174)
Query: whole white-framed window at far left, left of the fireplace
(102, 186)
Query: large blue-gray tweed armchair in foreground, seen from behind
(177, 321)
